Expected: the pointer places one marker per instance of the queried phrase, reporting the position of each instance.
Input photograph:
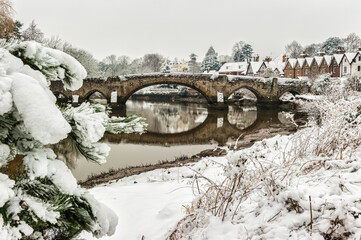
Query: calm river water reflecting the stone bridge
(176, 130)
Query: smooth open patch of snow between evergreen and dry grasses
(151, 204)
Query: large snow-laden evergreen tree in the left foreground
(39, 196)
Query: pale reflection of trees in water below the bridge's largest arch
(168, 117)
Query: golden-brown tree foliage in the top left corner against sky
(7, 24)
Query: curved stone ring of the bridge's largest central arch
(167, 81)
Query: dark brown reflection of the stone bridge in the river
(216, 127)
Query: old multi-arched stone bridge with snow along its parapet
(215, 88)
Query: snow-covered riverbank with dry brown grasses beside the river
(302, 186)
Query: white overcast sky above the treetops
(178, 28)
